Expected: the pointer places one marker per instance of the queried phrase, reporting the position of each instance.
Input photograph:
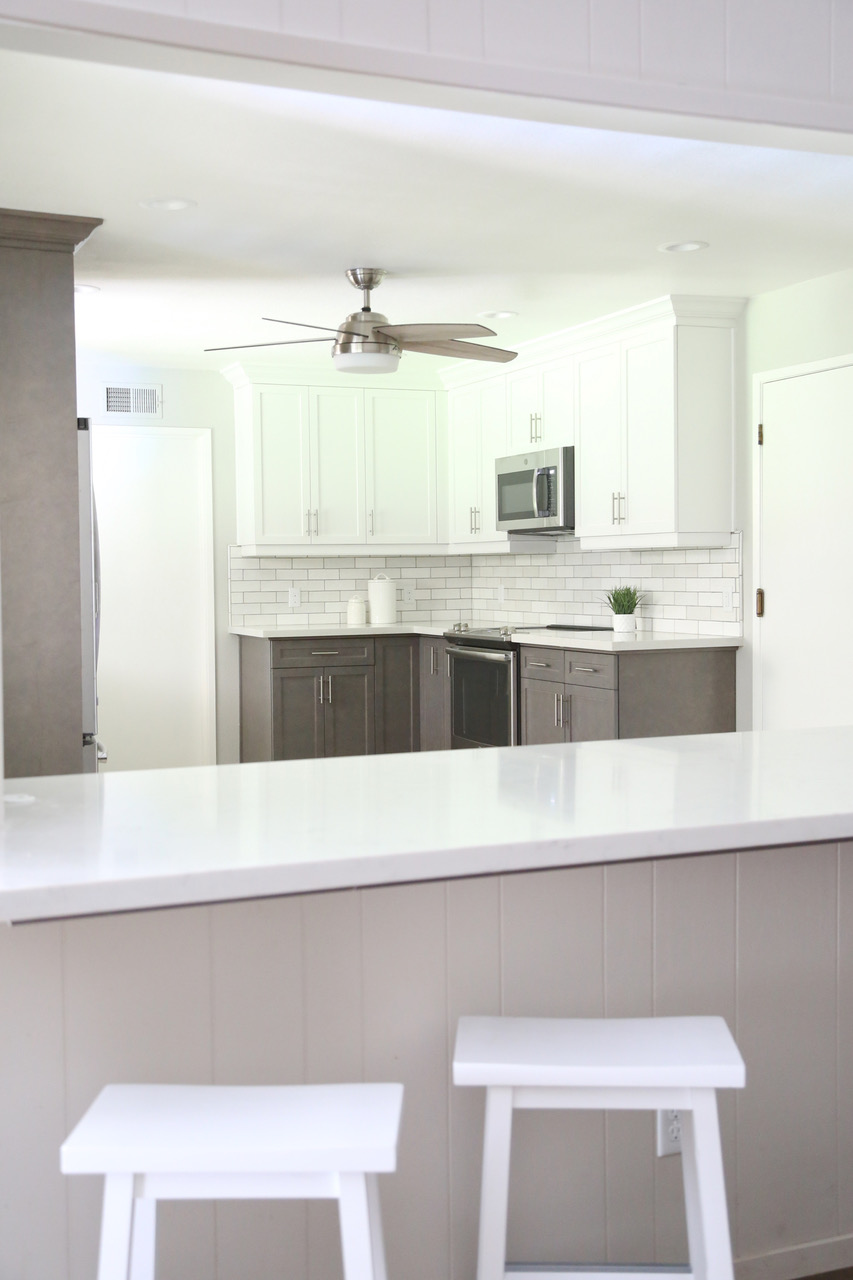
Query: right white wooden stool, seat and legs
(627, 1064)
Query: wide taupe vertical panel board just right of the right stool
(787, 1031)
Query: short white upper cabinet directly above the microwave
(541, 406)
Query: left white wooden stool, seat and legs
(231, 1142)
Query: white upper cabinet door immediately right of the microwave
(600, 441)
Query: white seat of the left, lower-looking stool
(171, 1128)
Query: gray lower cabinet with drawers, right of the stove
(573, 697)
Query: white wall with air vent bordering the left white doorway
(204, 400)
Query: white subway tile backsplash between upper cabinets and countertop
(685, 592)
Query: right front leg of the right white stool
(705, 1191)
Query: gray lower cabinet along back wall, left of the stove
(323, 697)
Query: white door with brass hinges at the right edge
(805, 552)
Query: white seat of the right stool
(631, 1053)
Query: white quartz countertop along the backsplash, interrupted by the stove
(600, 642)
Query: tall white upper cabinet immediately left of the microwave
(477, 438)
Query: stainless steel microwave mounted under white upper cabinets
(536, 492)
